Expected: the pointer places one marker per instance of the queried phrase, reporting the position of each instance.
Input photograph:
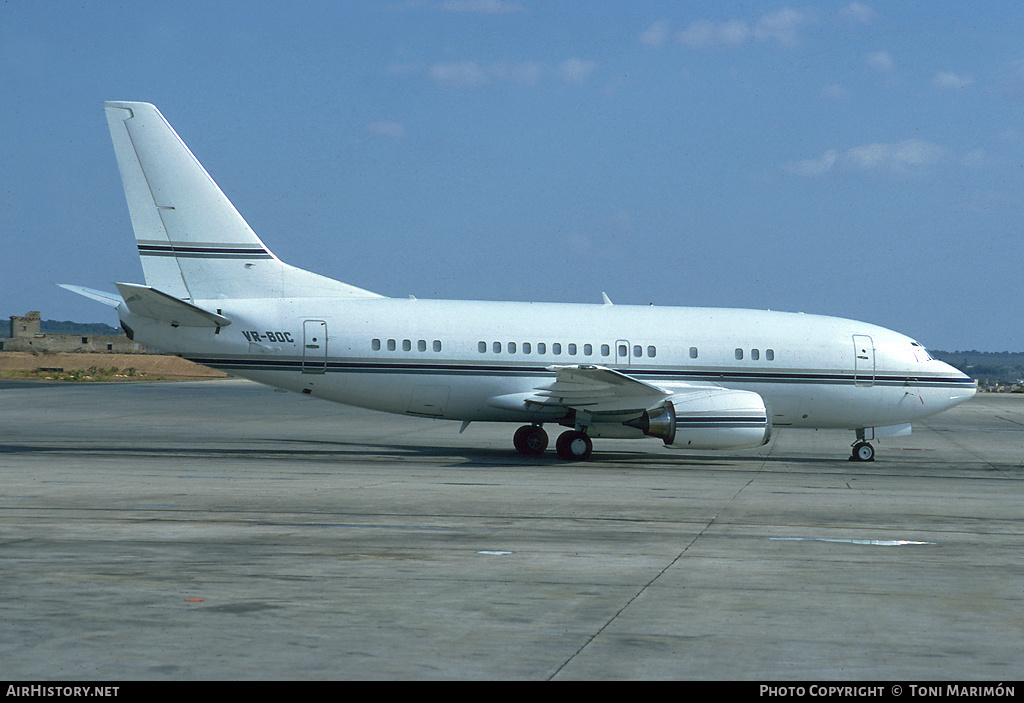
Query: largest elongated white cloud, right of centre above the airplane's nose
(908, 157)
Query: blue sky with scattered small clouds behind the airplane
(863, 160)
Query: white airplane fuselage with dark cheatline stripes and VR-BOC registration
(471, 361)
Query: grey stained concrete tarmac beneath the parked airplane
(222, 531)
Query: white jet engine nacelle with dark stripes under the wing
(712, 419)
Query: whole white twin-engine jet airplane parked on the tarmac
(695, 378)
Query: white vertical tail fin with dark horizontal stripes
(194, 244)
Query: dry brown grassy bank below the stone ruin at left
(96, 368)
